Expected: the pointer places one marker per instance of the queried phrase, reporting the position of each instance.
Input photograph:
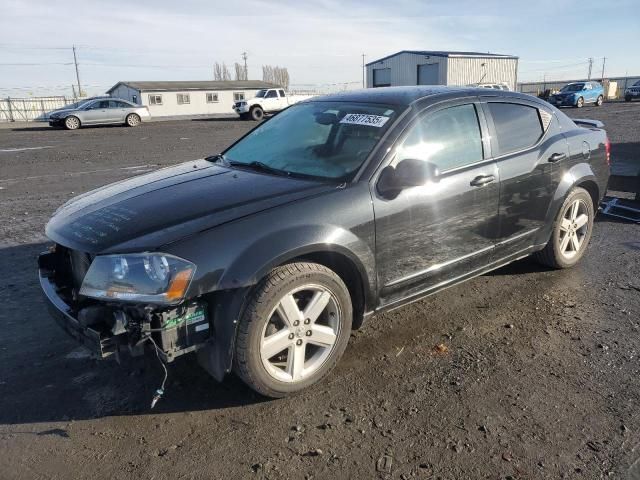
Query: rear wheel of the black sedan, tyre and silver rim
(571, 231)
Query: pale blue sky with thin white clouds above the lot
(321, 43)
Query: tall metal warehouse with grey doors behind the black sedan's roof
(411, 67)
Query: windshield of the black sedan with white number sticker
(326, 140)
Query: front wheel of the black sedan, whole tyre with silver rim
(293, 330)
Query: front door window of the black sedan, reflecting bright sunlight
(449, 138)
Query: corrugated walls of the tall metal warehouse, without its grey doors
(452, 70)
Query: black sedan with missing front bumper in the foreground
(260, 260)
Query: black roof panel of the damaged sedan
(404, 96)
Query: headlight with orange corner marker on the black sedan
(147, 277)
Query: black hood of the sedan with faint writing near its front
(146, 212)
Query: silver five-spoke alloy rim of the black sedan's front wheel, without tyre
(300, 334)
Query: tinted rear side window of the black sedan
(517, 126)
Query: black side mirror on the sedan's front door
(407, 173)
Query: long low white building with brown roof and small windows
(187, 98)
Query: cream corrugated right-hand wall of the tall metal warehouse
(466, 71)
